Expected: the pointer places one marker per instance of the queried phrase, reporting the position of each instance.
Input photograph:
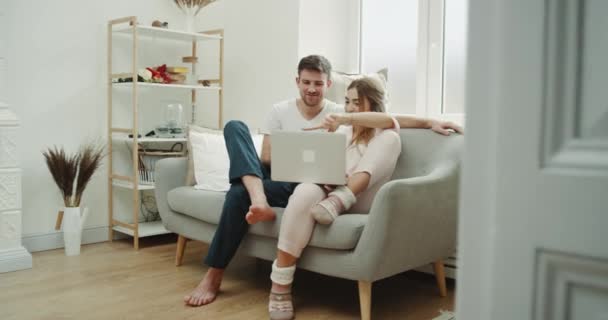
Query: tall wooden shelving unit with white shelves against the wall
(129, 26)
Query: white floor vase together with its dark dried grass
(72, 173)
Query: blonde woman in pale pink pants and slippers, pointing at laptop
(373, 146)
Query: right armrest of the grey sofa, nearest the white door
(412, 222)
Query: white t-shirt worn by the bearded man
(286, 116)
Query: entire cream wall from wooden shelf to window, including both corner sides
(263, 49)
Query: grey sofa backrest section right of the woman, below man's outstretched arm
(423, 150)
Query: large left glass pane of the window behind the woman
(390, 39)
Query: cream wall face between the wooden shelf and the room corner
(260, 57)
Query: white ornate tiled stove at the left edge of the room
(13, 256)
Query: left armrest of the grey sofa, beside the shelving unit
(170, 174)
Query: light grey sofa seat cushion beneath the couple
(204, 205)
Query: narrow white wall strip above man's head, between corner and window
(331, 28)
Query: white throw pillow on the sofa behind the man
(210, 160)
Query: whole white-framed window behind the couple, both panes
(423, 43)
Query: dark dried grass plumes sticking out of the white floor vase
(72, 173)
